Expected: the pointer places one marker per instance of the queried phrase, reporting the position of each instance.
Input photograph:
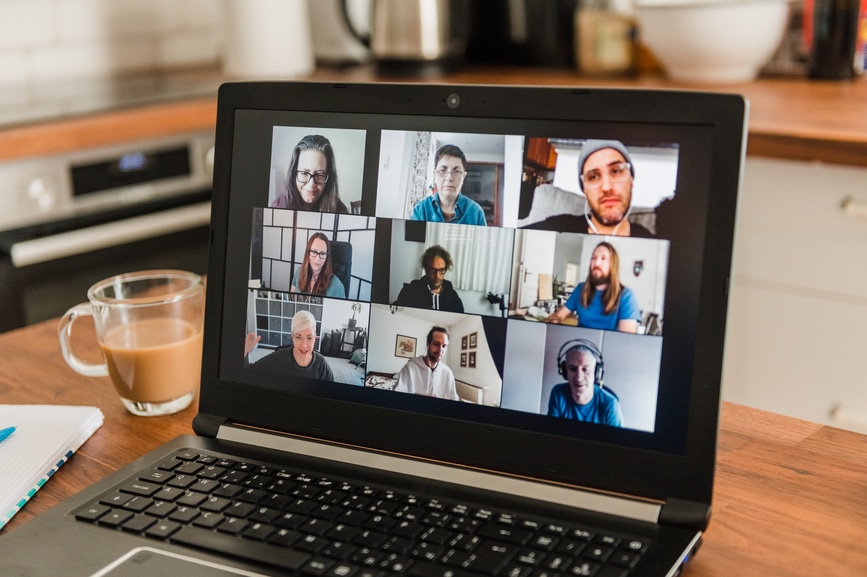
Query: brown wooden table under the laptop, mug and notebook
(790, 496)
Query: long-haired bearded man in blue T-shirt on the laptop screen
(601, 302)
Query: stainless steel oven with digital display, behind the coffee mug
(69, 220)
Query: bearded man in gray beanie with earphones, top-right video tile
(605, 175)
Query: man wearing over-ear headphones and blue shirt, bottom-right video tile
(582, 396)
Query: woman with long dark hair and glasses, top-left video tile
(311, 181)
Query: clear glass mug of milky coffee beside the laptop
(149, 328)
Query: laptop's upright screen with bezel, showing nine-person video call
(530, 270)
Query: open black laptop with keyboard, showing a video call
(450, 331)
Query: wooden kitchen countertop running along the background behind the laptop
(795, 119)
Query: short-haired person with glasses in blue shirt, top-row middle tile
(447, 204)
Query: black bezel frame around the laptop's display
(654, 475)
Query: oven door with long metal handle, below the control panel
(43, 276)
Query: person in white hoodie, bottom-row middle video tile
(427, 374)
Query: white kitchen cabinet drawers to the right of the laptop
(797, 332)
